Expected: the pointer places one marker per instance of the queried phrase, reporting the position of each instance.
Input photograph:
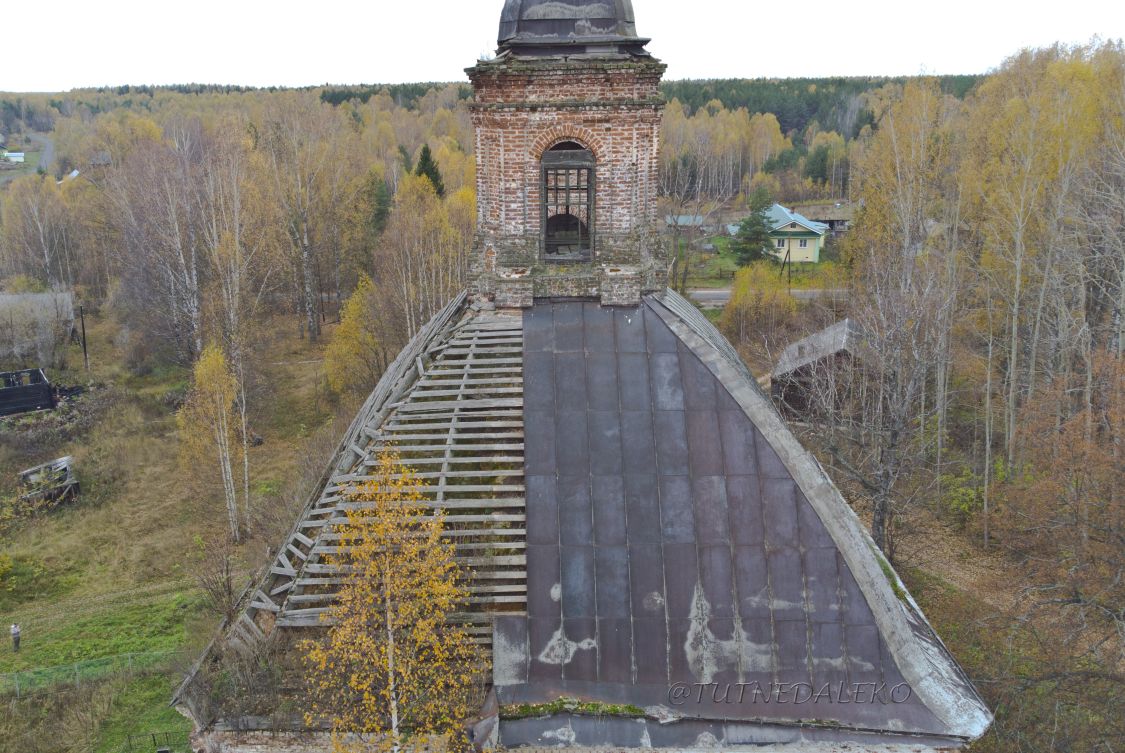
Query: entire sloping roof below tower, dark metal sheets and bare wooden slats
(660, 532)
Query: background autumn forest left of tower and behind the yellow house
(199, 209)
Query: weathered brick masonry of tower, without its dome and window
(523, 109)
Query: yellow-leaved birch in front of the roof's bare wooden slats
(393, 667)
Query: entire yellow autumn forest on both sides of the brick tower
(987, 267)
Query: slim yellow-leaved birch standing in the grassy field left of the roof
(209, 425)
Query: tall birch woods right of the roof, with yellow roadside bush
(987, 387)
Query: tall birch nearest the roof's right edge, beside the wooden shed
(904, 300)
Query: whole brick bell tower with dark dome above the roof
(568, 121)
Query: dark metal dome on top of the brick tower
(570, 28)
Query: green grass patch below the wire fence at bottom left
(140, 709)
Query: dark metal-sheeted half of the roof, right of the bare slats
(671, 546)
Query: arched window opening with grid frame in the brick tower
(568, 192)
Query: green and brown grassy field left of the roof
(115, 575)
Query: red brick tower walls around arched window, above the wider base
(523, 110)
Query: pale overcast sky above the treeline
(80, 43)
